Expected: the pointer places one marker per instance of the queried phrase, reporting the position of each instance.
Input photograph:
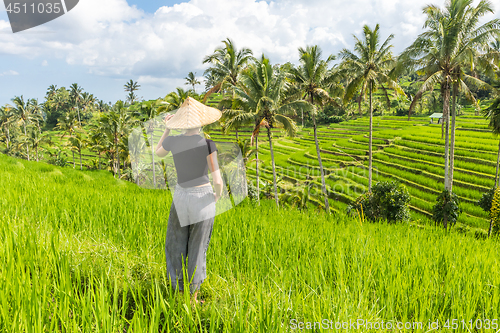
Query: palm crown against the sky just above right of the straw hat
(227, 64)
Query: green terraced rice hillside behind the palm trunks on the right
(409, 152)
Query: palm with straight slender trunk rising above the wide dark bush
(369, 70)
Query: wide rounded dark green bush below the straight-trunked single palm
(387, 201)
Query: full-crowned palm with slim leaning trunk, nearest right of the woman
(261, 91)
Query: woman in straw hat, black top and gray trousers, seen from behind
(192, 212)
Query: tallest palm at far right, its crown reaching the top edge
(453, 41)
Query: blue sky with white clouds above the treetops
(102, 44)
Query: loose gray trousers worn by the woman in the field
(188, 244)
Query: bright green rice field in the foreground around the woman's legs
(84, 252)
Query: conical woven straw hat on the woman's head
(193, 114)
